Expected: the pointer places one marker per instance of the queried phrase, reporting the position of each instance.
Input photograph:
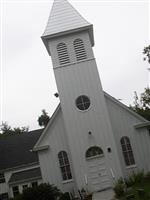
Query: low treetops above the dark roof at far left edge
(6, 129)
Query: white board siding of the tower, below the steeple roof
(73, 80)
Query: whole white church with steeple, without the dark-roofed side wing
(92, 139)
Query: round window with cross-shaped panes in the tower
(83, 102)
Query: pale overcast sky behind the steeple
(121, 31)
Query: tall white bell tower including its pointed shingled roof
(68, 38)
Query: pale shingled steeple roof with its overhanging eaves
(64, 19)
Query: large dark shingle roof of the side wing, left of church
(15, 149)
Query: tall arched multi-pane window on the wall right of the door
(127, 151)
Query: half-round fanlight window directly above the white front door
(94, 151)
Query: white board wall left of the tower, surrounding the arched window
(55, 137)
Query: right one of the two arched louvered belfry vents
(79, 50)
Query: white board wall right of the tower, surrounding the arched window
(123, 123)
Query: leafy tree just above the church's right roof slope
(141, 105)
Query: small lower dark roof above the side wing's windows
(26, 175)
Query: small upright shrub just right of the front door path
(119, 188)
